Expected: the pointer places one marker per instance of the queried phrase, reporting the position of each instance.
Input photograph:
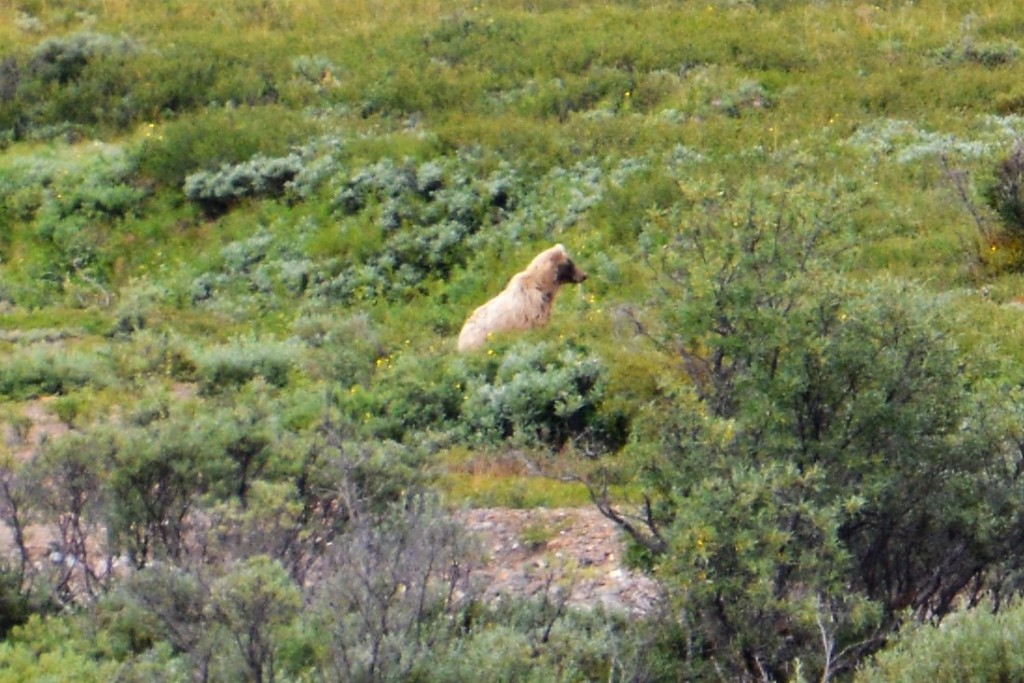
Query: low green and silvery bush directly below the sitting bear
(530, 395)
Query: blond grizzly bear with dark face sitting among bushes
(526, 303)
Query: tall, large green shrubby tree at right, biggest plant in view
(816, 468)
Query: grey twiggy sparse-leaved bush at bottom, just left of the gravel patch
(398, 588)
